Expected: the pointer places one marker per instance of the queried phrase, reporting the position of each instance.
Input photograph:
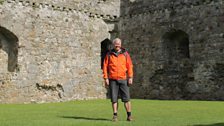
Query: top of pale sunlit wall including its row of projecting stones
(104, 9)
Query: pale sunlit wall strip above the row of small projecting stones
(100, 7)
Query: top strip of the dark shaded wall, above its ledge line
(137, 7)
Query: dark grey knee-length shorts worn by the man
(117, 87)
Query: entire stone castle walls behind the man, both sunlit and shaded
(50, 50)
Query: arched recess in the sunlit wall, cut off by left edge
(9, 44)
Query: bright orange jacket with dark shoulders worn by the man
(117, 66)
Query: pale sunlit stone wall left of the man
(55, 50)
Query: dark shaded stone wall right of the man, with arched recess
(177, 47)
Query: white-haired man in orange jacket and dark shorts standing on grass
(118, 75)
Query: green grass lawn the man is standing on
(99, 113)
